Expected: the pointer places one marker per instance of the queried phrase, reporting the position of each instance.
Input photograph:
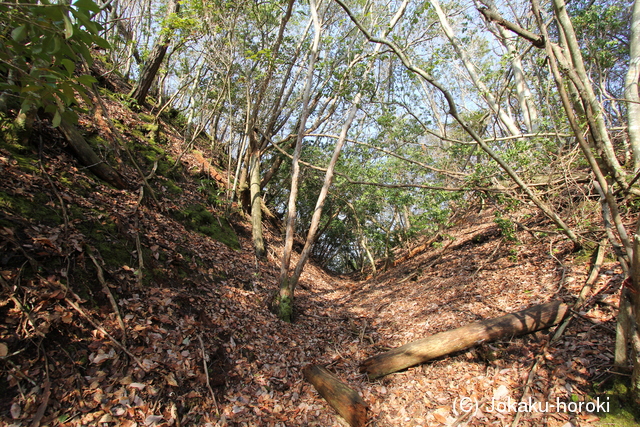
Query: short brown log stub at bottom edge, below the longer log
(345, 400)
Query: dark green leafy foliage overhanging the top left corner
(41, 45)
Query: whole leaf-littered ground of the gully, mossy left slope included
(146, 306)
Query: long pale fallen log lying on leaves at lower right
(522, 322)
